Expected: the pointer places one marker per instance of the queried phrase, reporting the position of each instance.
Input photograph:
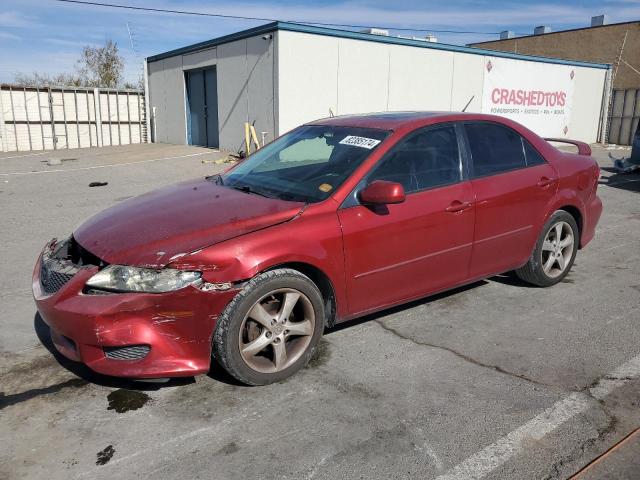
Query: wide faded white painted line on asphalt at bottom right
(485, 461)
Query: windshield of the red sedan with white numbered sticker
(305, 165)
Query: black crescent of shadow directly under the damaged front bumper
(82, 371)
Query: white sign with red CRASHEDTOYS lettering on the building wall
(535, 94)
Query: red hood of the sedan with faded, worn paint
(155, 228)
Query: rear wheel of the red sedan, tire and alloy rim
(554, 253)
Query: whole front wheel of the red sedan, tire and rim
(271, 328)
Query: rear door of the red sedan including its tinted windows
(513, 187)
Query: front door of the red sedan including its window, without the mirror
(402, 251)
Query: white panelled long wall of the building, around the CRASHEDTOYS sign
(378, 77)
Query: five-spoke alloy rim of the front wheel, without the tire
(277, 330)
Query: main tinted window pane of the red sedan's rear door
(494, 149)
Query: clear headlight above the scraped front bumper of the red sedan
(121, 278)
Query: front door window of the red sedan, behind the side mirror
(425, 159)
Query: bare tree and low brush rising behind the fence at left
(97, 67)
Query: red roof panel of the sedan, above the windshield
(400, 120)
